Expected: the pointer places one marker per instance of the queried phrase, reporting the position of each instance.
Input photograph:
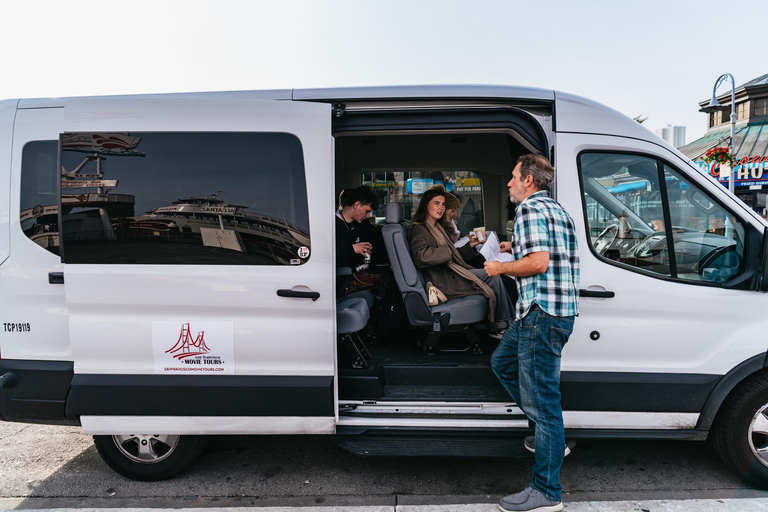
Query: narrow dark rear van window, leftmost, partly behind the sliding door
(39, 213)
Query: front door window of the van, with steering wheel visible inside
(629, 202)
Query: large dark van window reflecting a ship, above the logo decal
(184, 198)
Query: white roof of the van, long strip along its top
(573, 113)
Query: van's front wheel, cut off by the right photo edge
(740, 434)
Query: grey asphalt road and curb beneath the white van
(45, 467)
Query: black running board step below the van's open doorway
(442, 446)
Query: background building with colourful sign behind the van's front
(750, 144)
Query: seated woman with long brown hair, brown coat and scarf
(442, 265)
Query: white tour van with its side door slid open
(168, 272)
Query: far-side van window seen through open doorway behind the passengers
(407, 188)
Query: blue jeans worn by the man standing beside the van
(527, 362)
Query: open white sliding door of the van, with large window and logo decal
(195, 215)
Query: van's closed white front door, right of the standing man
(664, 341)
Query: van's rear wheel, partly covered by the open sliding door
(149, 457)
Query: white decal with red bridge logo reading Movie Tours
(193, 347)
